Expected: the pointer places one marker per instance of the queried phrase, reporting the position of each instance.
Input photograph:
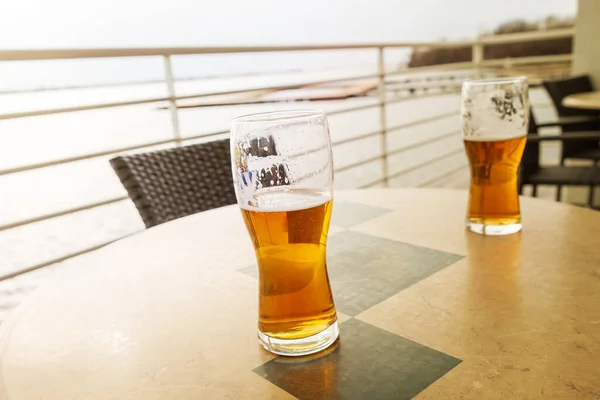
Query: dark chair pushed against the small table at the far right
(574, 119)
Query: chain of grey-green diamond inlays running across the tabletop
(367, 362)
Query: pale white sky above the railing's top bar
(122, 23)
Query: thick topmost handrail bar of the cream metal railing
(56, 54)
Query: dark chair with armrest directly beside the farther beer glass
(532, 173)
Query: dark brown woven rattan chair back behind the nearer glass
(170, 184)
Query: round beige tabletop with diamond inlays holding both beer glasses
(431, 311)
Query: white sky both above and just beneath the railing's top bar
(31, 24)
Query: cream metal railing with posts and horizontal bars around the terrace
(478, 64)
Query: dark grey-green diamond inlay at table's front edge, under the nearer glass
(368, 363)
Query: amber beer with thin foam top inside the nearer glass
(289, 232)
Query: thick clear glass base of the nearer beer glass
(301, 347)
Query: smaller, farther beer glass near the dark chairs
(495, 118)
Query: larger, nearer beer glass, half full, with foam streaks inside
(283, 176)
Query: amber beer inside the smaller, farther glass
(493, 195)
